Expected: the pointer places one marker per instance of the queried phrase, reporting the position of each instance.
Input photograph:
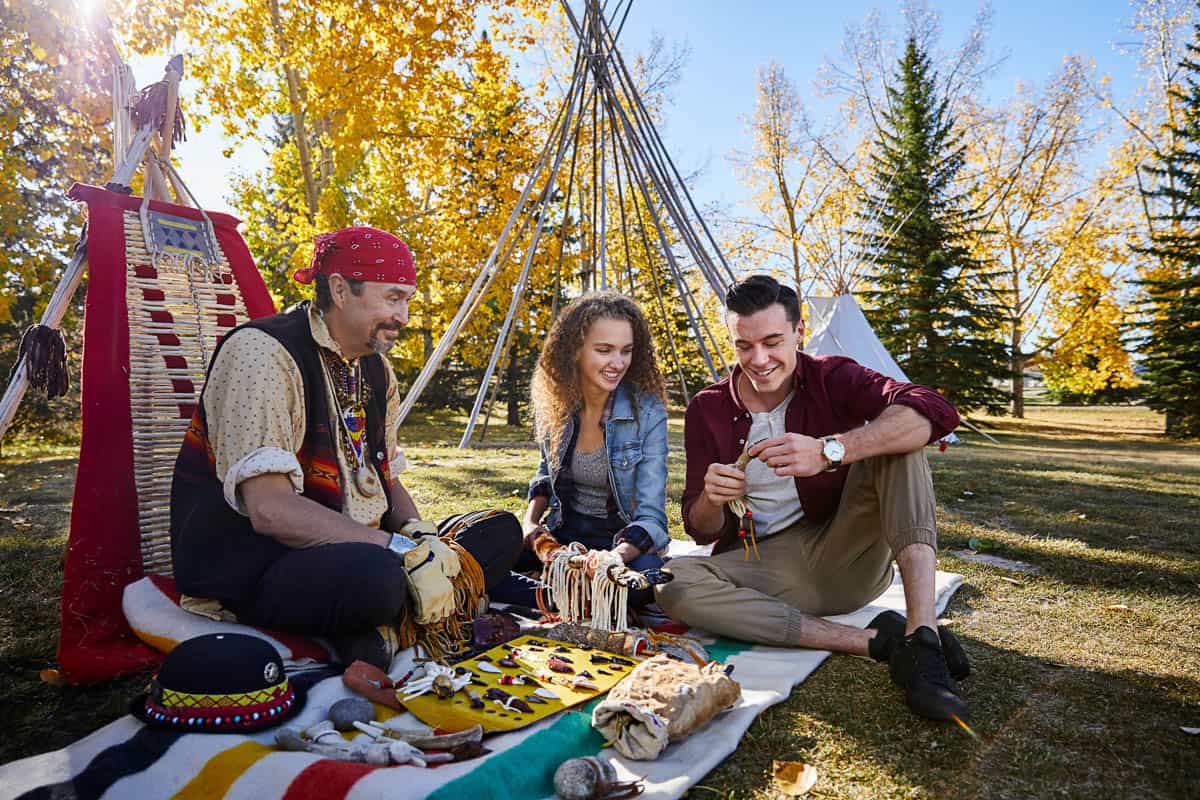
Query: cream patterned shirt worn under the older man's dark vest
(255, 406)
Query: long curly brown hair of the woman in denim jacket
(555, 392)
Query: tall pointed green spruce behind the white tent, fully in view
(932, 304)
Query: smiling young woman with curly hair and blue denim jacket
(602, 425)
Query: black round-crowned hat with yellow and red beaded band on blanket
(220, 683)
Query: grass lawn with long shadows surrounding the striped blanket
(1084, 671)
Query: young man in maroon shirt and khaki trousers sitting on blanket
(838, 488)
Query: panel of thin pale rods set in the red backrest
(177, 317)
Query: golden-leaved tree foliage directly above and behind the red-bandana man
(410, 121)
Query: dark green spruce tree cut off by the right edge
(1172, 346)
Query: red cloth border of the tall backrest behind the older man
(104, 552)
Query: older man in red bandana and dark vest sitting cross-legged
(286, 510)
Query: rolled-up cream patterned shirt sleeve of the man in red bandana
(254, 402)
